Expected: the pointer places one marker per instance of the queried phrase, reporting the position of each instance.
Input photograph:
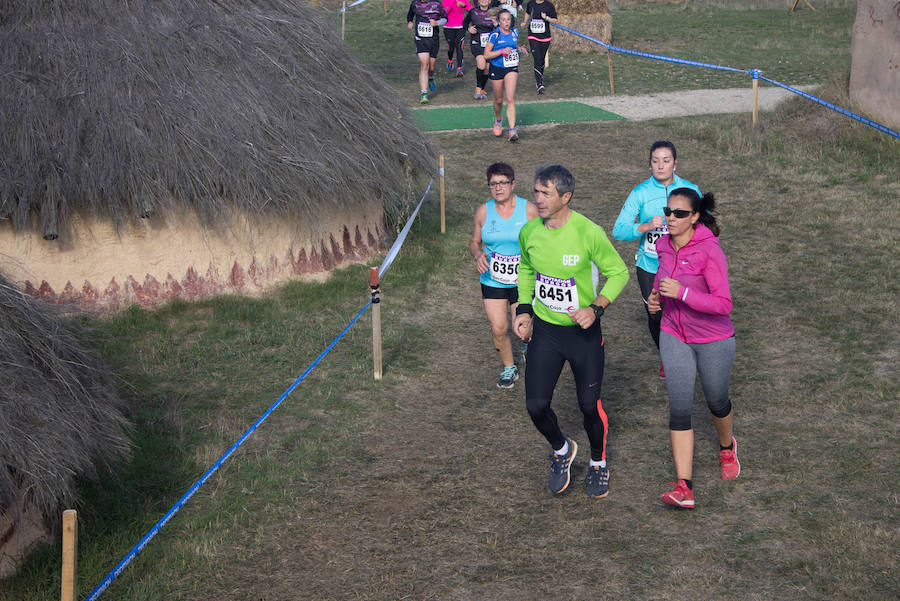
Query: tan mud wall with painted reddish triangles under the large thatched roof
(100, 268)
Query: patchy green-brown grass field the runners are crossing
(430, 483)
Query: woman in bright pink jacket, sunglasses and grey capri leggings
(691, 288)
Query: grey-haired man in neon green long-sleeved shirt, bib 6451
(559, 312)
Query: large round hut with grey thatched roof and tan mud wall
(152, 150)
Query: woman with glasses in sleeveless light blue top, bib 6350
(495, 248)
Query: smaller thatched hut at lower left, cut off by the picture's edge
(60, 417)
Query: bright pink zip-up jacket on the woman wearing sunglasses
(700, 312)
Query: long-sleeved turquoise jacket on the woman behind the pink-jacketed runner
(645, 202)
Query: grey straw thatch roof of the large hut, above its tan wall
(120, 108)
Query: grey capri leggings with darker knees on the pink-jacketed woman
(682, 361)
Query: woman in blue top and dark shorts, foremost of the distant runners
(502, 50)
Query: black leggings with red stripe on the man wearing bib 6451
(550, 347)
